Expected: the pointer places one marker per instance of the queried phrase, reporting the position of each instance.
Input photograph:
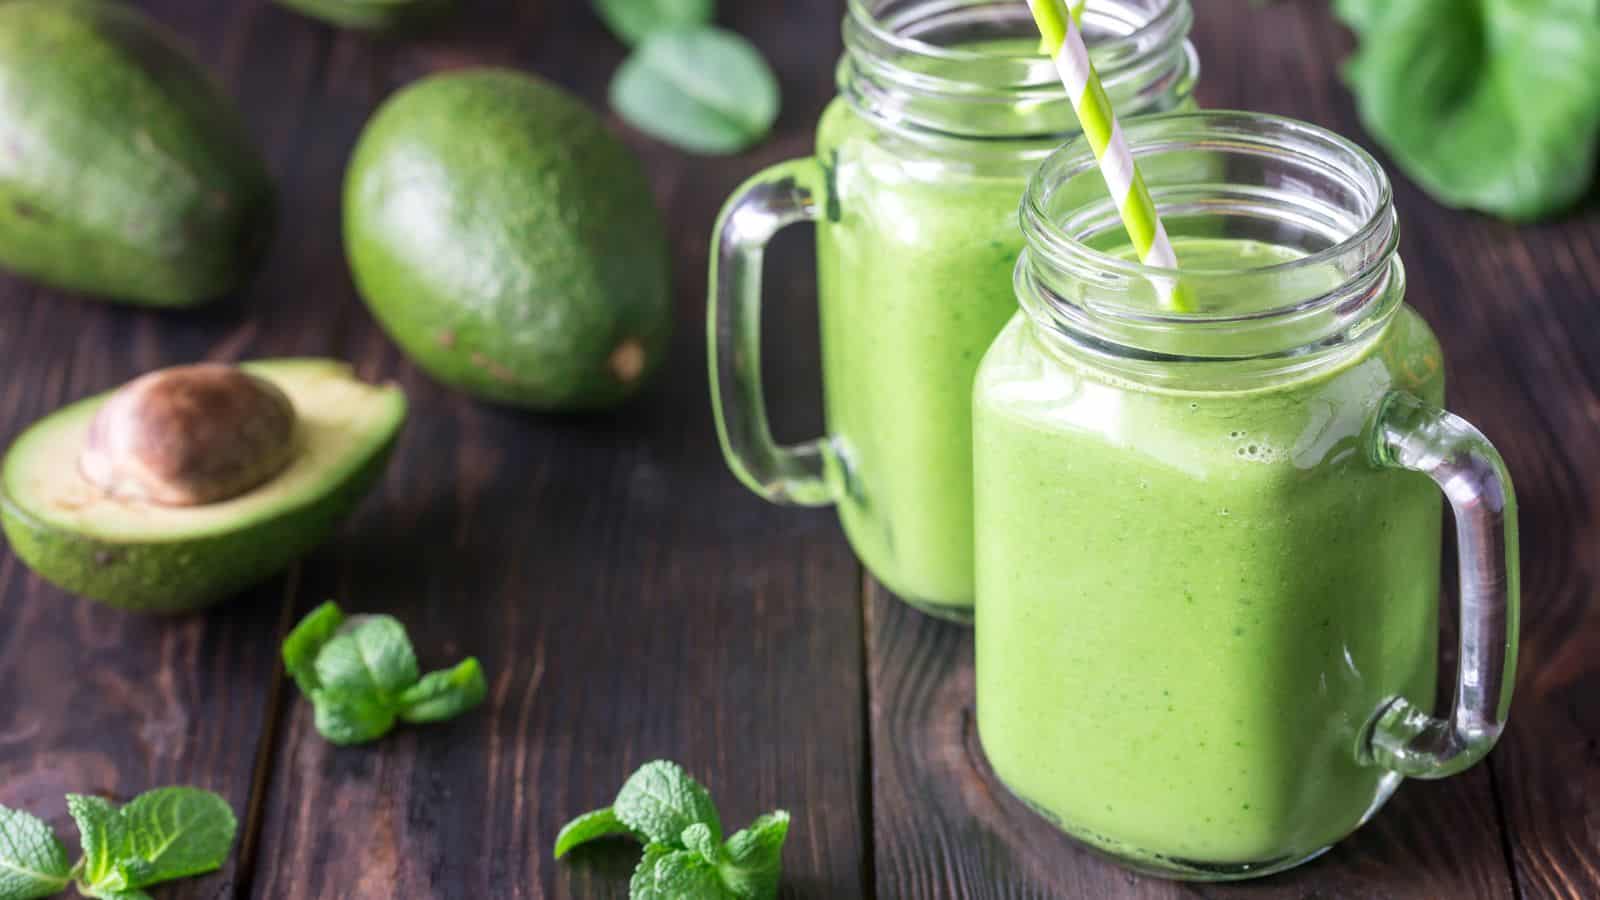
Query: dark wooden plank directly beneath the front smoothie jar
(943, 827)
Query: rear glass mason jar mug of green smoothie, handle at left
(945, 108)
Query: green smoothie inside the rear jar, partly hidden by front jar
(914, 281)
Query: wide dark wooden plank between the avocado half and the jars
(626, 597)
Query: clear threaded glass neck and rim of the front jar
(1262, 179)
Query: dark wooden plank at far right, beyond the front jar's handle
(1529, 374)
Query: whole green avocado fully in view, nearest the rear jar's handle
(508, 243)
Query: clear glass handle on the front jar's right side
(1422, 438)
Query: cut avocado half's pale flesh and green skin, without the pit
(148, 558)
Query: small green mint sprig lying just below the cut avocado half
(361, 675)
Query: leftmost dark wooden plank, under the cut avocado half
(94, 701)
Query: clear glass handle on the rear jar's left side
(764, 206)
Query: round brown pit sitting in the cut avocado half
(190, 436)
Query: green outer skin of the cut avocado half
(188, 576)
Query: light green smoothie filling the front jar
(1193, 601)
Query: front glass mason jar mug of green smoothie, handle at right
(1209, 542)
